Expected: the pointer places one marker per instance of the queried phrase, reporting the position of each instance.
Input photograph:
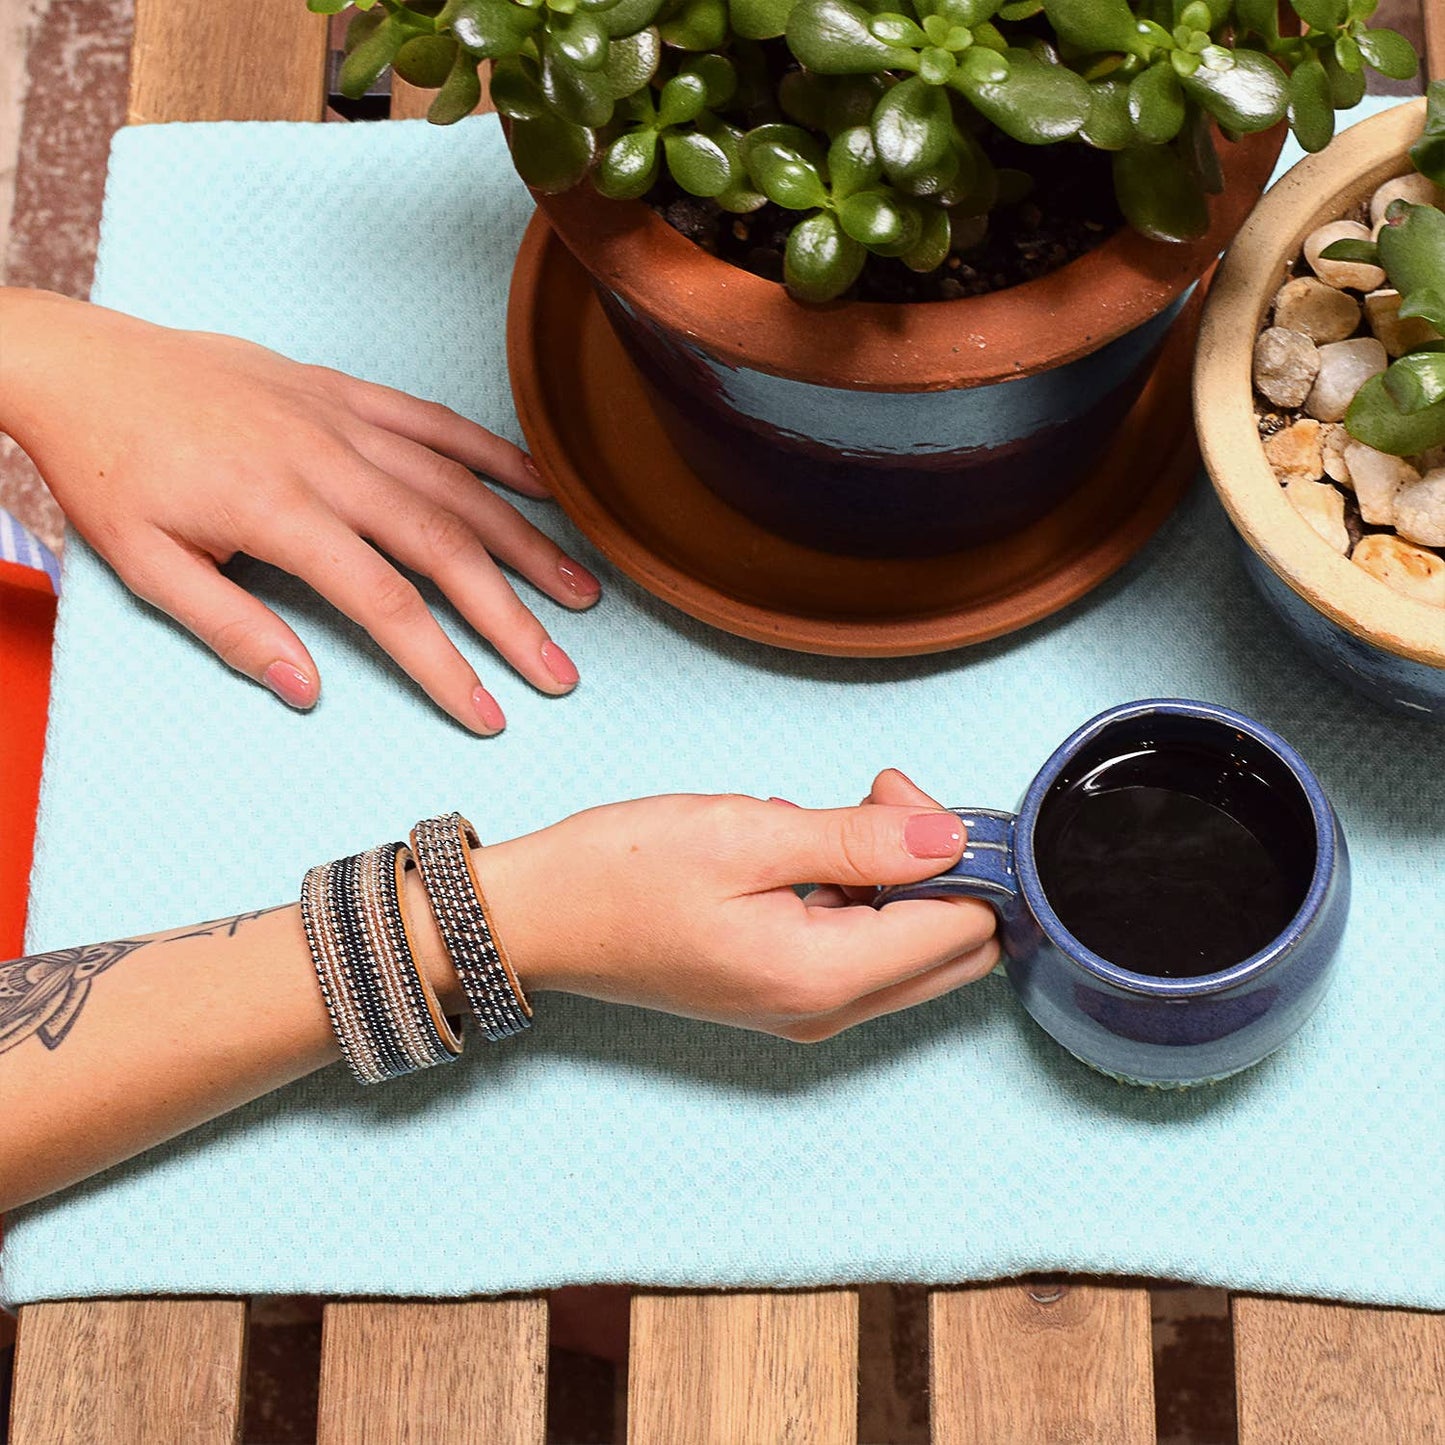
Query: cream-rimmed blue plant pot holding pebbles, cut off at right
(1381, 642)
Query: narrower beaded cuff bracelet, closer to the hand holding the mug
(443, 849)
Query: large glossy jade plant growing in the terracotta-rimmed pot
(872, 121)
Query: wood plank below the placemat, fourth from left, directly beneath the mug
(1043, 1363)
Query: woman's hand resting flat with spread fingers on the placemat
(171, 452)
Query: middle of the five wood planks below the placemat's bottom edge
(777, 1369)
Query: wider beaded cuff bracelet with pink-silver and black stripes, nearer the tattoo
(387, 1015)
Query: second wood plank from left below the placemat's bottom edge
(418, 1373)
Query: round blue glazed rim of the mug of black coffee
(1226, 979)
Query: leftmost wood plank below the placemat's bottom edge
(131, 1372)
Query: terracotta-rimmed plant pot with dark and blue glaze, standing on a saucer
(894, 430)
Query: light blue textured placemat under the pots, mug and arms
(950, 1144)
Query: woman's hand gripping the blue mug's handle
(687, 905)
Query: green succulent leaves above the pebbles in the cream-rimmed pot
(1402, 411)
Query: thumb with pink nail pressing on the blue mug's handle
(862, 847)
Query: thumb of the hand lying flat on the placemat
(238, 628)
